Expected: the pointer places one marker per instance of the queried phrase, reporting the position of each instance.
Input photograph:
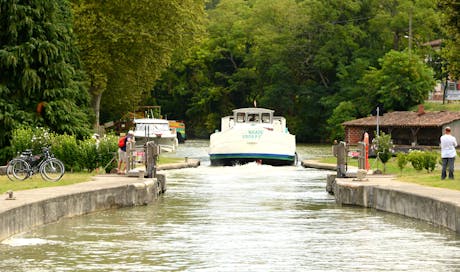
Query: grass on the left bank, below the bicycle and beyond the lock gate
(69, 178)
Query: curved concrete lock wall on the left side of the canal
(24, 217)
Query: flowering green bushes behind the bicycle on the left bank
(77, 155)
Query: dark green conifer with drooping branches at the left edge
(41, 83)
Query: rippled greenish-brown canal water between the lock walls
(242, 218)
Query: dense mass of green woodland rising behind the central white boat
(301, 58)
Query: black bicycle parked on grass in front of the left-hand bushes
(27, 164)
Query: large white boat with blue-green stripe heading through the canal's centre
(253, 135)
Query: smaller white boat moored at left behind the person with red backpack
(156, 130)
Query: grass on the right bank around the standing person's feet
(408, 174)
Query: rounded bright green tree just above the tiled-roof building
(402, 81)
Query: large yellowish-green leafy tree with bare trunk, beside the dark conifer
(127, 44)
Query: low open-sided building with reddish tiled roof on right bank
(405, 127)
